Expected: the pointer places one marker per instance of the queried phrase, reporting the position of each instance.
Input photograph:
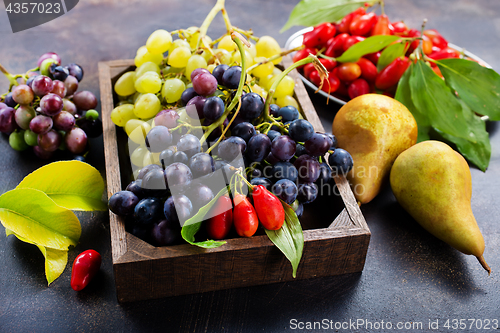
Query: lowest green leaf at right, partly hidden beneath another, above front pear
(478, 153)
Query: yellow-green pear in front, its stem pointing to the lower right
(432, 182)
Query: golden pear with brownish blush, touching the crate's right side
(374, 129)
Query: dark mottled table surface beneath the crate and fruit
(409, 276)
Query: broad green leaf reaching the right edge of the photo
(476, 85)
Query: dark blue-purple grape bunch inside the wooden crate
(275, 148)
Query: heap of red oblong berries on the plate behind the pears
(351, 79)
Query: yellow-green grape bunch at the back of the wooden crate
(163, 73)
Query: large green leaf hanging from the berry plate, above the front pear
(444, 111)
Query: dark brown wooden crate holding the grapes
(335, 240)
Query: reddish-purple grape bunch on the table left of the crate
(44, 110)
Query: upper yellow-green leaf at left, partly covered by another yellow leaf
(74, 185)
